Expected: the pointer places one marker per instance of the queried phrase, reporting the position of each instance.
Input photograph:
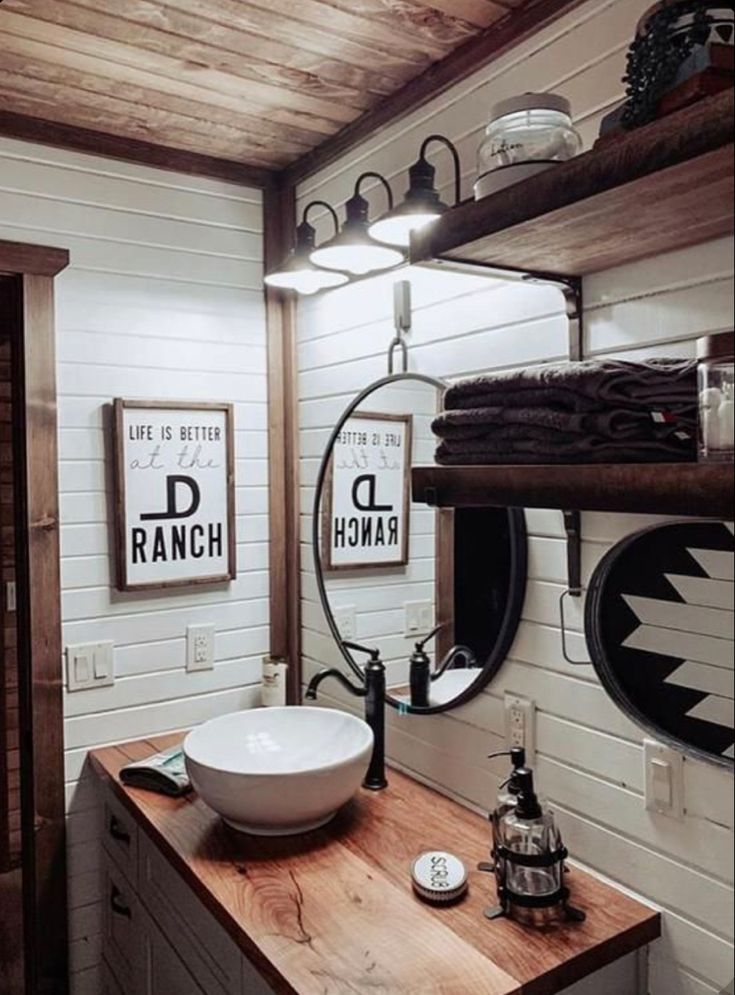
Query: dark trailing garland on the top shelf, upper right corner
(667, 36)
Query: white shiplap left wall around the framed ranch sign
(163, 300)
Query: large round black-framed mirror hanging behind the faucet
(479, 592)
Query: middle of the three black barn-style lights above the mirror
(353, 249)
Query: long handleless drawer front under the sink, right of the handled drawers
(211, 956)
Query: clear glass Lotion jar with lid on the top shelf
(526, 135)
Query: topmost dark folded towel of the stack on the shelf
(594, 385)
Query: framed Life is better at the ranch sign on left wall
(174, 494)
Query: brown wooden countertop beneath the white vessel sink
(334, 911)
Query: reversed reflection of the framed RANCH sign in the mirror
(367, 509)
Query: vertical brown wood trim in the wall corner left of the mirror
(283, 433)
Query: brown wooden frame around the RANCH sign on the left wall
(118, 449)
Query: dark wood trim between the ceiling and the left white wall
(64, 136)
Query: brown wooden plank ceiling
(258, 82)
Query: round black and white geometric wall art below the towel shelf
(659, 623)
